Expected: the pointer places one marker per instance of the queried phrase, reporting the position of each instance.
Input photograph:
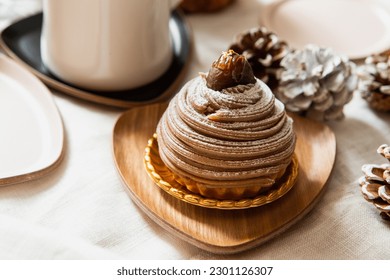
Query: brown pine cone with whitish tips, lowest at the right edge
(375, 185)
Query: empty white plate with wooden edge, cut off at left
(31, 130)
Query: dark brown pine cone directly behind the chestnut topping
(264, 51)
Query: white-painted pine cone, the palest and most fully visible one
(316, 82)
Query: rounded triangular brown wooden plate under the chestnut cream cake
(215, 230)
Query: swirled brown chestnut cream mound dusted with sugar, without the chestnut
(236, 137)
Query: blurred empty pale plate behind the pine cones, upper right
(356, 28)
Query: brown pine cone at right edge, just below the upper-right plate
(375, 81)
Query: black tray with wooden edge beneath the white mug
(21, 41)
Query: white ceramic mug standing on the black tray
(107, 45)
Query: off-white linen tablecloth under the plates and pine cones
(82, 210)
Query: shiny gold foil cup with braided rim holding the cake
(188, 191)
